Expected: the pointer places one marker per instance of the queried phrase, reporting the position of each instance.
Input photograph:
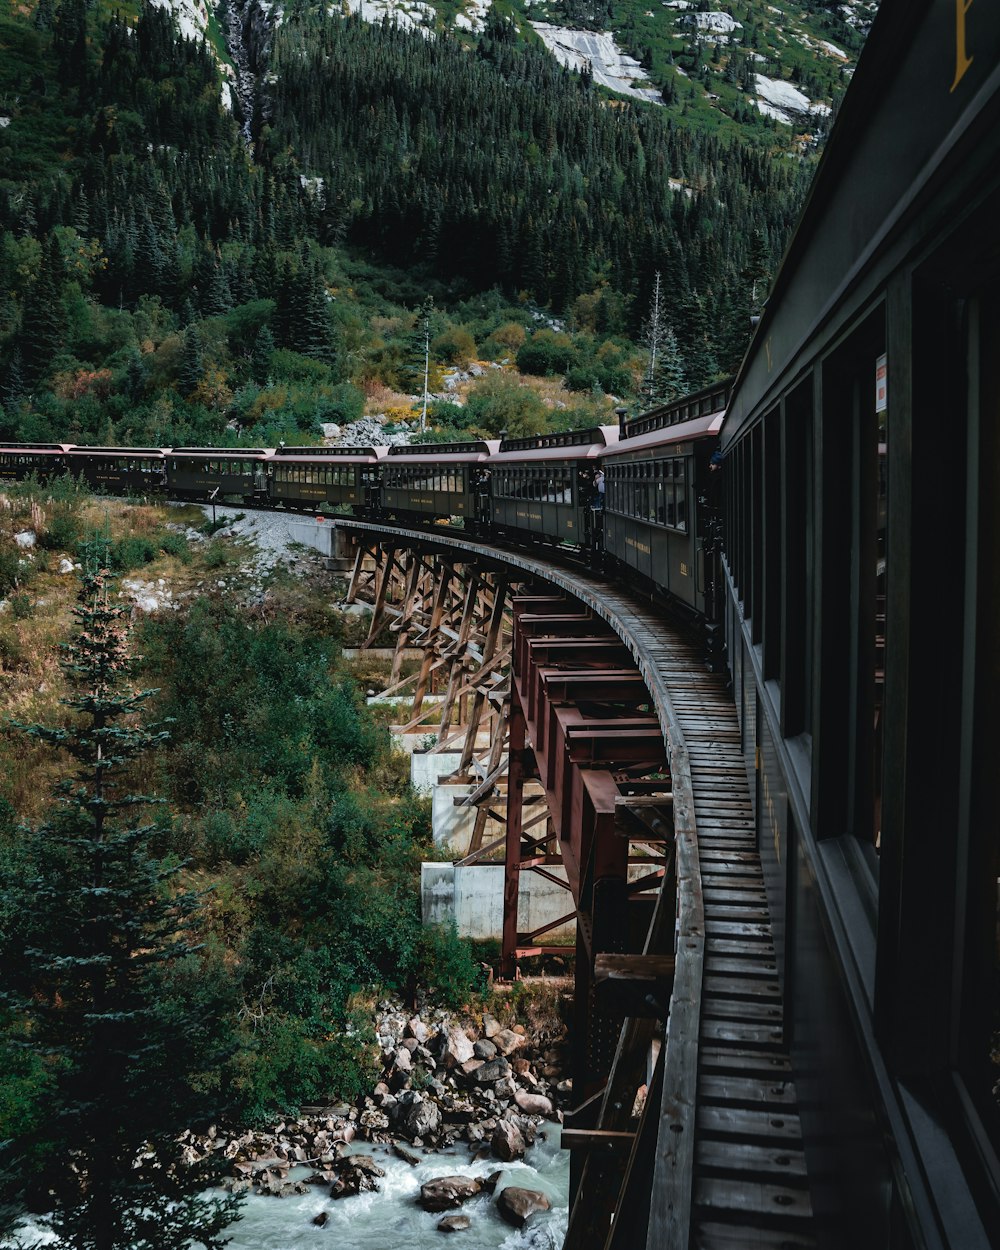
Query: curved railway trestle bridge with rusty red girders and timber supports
(599, 752)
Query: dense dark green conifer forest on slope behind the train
(166, 281)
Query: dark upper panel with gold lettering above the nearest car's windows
(901, 136)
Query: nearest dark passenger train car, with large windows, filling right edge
(862, 488)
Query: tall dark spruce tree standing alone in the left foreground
(96, 934)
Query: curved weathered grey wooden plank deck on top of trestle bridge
(729, 1171)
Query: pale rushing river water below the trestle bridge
(393, 1221)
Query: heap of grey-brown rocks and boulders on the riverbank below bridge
(471, 1089)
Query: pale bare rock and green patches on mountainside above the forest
(788, 62)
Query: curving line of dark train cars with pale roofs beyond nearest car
(636, 496)
